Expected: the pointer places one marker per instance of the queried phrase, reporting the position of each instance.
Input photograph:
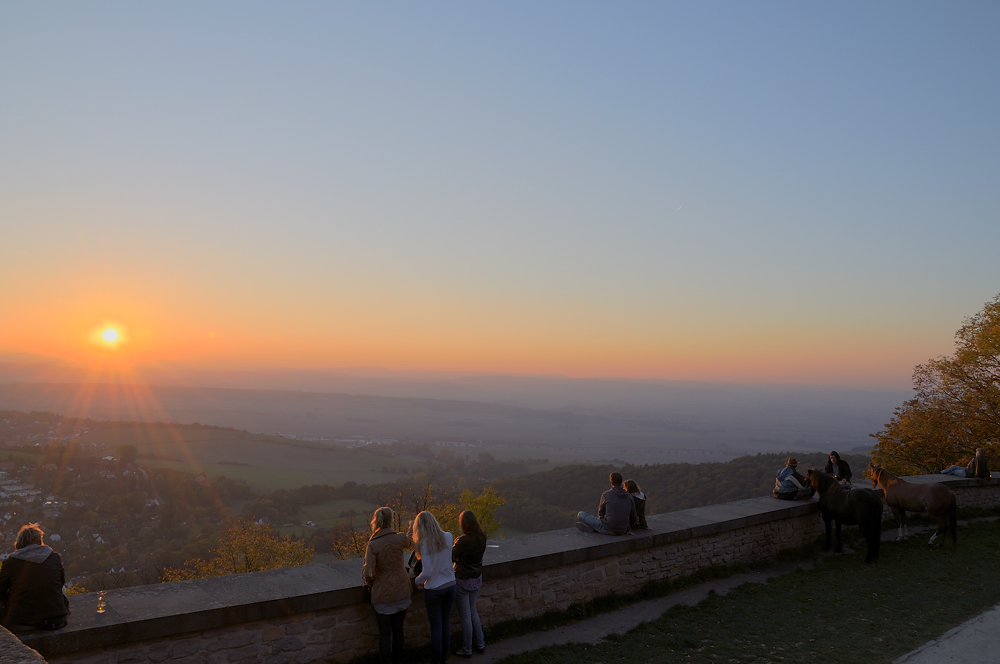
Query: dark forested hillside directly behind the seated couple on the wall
(551, 499)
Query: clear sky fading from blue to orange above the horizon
(775, 192)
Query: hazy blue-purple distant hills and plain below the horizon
(589, 419)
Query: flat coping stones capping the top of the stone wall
(167, 609)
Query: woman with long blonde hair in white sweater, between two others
(437, 578)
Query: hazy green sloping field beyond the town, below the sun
(267, 462)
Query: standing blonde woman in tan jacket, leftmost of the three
(390, 584)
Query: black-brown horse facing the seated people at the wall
(848, 507)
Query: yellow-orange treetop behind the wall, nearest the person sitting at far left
(244, 547)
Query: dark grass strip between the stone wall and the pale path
(840, 612)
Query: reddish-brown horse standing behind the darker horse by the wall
(935, 499)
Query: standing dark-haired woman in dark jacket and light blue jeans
(467, 554)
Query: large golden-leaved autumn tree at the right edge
(956, 407)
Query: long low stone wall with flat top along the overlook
(316, 613)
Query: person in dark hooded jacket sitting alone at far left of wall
(31, 584)
